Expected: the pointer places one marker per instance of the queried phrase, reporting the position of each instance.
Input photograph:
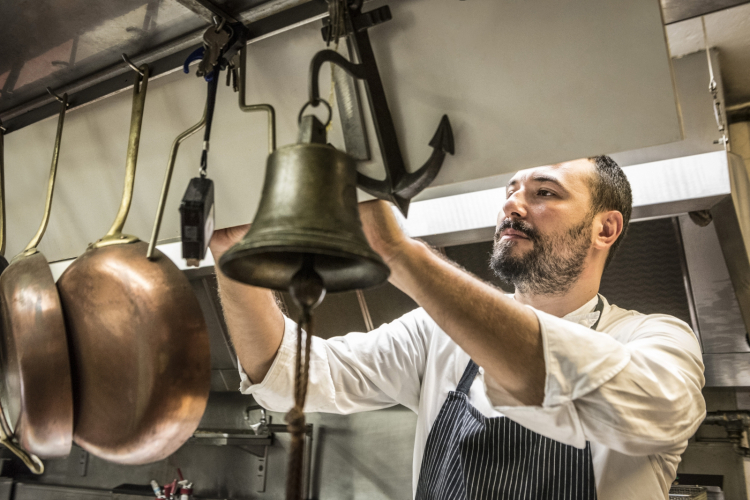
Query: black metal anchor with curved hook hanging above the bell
(399, 185)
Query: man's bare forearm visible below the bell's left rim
(255, 323)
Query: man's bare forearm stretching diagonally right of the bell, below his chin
(499, 334)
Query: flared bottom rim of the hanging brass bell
(372, 261)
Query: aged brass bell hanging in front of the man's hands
(307, 215)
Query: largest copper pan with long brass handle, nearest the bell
(138, 340)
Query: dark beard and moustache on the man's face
(553, 264)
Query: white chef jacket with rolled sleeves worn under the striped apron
(632, 388)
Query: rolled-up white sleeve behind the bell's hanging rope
(356, 372)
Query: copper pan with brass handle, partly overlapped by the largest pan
(36, 396)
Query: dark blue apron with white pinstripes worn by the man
(471, 457)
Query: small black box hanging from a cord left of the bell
(197, 219)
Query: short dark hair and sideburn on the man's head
(610, 190)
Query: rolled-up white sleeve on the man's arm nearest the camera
(640, 395)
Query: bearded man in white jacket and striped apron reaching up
(550, 393)
